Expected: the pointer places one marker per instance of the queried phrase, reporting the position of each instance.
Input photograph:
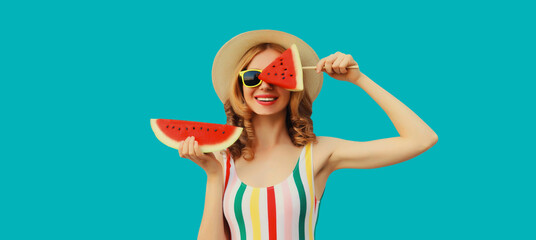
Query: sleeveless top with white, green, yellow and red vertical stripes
(286, 211)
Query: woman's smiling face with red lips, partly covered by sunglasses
(265, 90)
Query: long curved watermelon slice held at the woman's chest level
(211, 137)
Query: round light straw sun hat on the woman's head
(228, 56)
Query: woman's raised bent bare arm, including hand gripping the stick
(415, 135)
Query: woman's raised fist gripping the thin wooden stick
(335, 65)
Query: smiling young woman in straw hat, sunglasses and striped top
(268, 184)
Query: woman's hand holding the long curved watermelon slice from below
(189, 148)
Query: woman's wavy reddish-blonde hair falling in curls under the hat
(299, 110)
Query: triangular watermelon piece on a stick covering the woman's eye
(285, 71)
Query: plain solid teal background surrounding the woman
(81, 79)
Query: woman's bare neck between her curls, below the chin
(270, 131)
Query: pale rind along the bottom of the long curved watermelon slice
(162, 137)
